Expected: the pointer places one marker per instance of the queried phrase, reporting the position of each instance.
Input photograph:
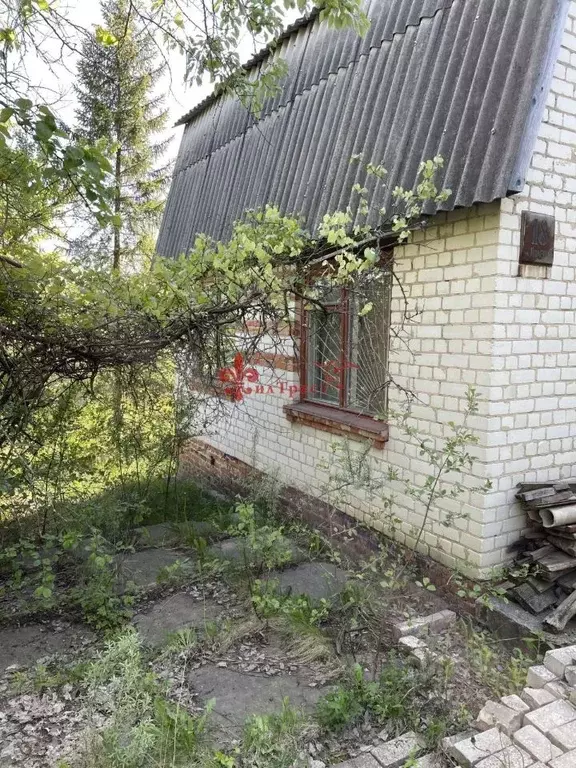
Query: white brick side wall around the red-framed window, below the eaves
(448, 272)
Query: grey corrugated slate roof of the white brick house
(466, 79)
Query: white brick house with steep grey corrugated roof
(490, 85)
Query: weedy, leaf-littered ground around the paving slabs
(122, 704)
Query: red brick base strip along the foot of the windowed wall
(217, 470)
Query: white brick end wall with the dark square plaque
(535, 317)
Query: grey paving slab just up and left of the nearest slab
(173, 613)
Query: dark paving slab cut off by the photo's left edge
(25, 645)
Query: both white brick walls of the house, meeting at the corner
(513, 337)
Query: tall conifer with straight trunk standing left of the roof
(117, 103)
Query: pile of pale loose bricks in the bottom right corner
(536, 729)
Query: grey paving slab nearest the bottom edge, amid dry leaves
(239, 695)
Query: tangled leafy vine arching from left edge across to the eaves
(58, 320)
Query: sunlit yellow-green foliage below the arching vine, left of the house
(79, 447)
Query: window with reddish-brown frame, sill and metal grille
(344, 351)
